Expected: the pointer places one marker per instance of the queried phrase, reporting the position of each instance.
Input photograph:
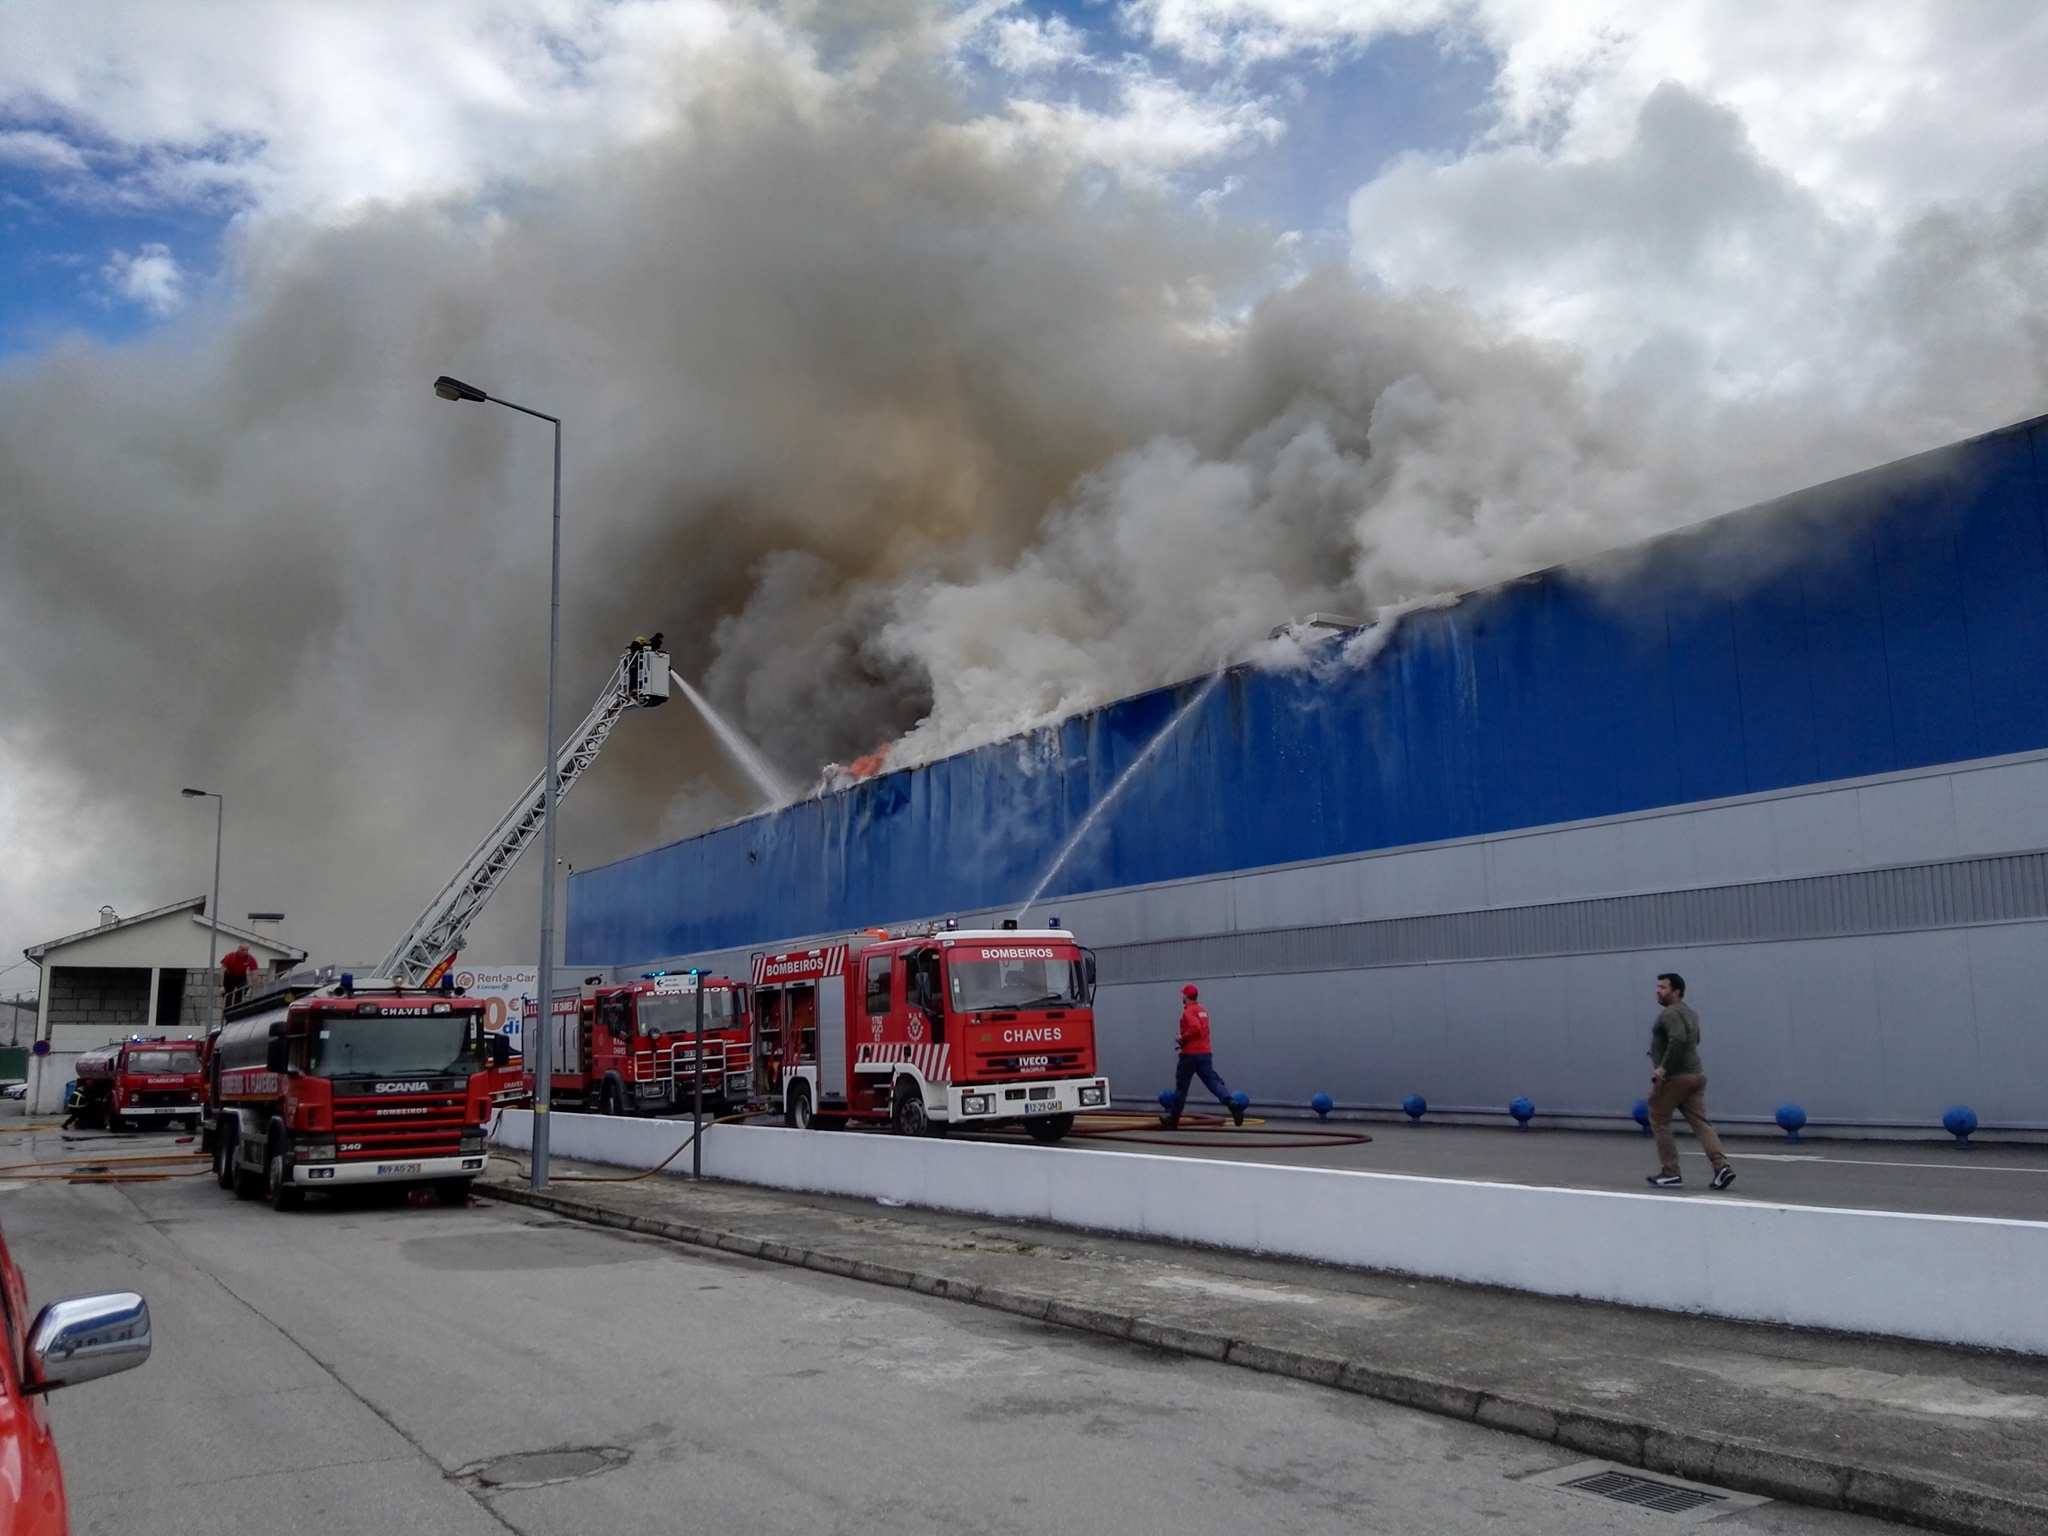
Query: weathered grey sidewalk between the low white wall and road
(1943, 1439)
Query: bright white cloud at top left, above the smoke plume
(327, 110)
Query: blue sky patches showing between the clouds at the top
(83, 198)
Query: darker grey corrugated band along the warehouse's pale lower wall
(1832, 906)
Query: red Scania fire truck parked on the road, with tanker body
(372, 1084)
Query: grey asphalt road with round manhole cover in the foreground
(351, 1369)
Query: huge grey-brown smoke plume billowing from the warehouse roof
(904, 433)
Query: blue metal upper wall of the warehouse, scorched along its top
(1885, 622)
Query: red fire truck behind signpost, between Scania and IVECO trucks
(632, 1048)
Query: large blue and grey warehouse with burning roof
(1797, 753)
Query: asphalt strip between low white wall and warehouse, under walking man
(1932, 1177)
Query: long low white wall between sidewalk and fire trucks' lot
(1949, 1279)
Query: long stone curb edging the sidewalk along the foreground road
(1914, 1498)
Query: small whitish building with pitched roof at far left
(132, 976)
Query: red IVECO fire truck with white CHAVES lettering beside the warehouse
(933, 1031)
